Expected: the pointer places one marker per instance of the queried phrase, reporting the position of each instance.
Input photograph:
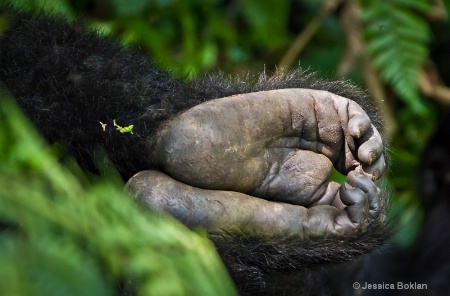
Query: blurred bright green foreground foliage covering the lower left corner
(64, 235)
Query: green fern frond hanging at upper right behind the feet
(397, 37)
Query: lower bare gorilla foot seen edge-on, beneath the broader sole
(228, 212)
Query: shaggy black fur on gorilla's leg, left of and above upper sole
(71, 81)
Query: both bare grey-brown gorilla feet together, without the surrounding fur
(258, 164)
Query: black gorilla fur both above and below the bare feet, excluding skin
(68, 80)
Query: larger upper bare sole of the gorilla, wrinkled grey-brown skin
(278, 145)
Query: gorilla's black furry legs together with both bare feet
(246, 158)
